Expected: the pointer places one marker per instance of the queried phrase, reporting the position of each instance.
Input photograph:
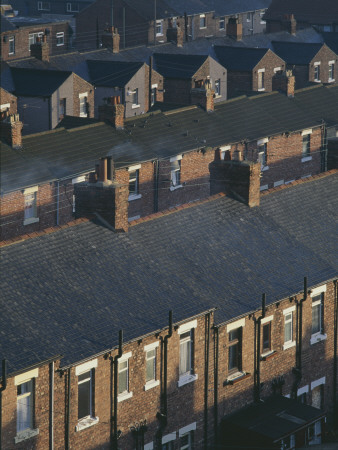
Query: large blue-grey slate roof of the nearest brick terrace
(216, 254)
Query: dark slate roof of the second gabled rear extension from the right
(239, 58)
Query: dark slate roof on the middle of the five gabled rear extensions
(178, 66)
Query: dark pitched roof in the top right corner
(323, 12)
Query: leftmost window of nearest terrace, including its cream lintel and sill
(25, 385)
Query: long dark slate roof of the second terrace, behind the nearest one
(79, 143)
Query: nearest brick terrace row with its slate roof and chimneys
(181, 379)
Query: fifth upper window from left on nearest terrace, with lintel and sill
(186, 363)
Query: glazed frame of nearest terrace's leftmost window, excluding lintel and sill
(25, 406)
